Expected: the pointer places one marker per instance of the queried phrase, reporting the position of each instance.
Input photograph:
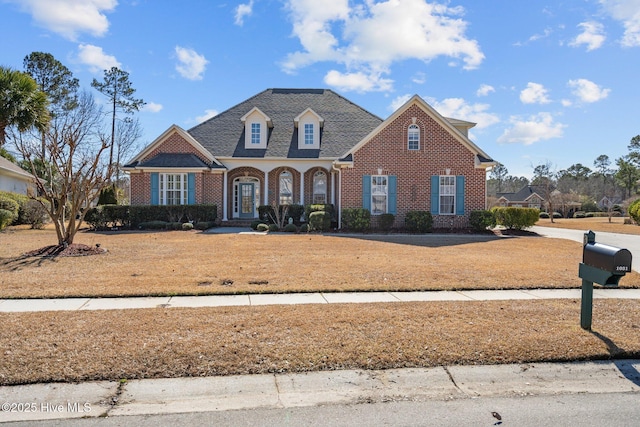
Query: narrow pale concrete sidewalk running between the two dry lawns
(71, 304)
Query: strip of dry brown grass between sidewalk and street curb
(172, 342)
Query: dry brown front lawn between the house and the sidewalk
(194, 263)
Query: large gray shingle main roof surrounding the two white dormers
(345, 124)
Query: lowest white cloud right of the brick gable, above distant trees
(536, 128)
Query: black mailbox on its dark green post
(601, 264)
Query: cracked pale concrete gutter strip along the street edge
(183, 395)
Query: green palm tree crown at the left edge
(22, 103)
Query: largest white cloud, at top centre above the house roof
(366, 39)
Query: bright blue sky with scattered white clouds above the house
(544, 81)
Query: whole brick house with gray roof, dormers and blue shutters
(302, 146)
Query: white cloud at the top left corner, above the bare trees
(70, 17)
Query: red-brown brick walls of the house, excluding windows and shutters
(386, 153)
